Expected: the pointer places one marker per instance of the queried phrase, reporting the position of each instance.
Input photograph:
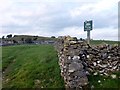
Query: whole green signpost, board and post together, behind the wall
(88, 28)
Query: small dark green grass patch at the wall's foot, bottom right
(105, 82)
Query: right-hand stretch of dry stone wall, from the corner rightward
(103, 60)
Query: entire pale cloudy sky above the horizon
(59, 18)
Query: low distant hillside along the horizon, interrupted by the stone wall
(41, 38)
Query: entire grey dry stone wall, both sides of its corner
(77, 60)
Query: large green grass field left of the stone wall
(31, 66)
